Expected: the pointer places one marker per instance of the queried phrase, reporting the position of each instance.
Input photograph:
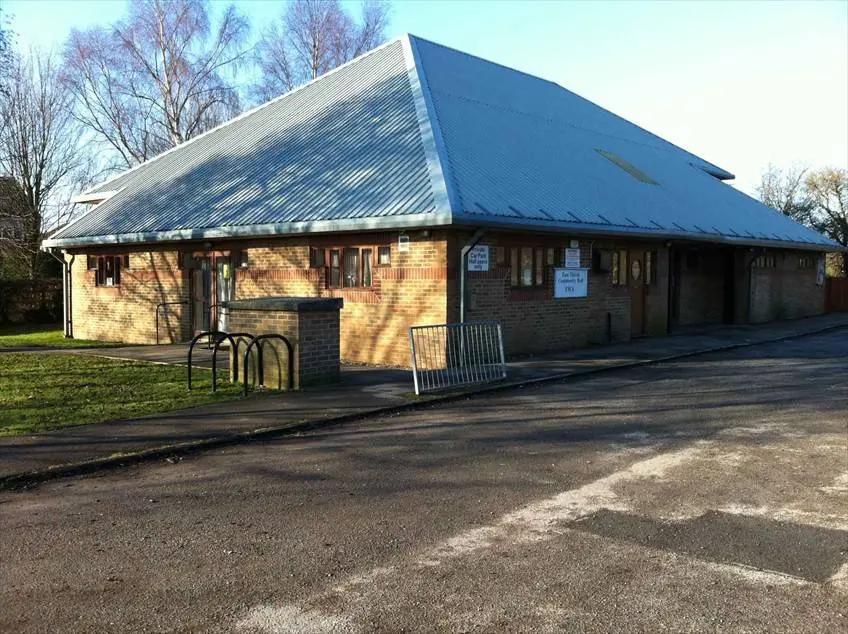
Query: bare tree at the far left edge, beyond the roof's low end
(41, 156)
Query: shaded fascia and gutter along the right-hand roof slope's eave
(472, 221)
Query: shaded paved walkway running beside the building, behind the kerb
(361, 390)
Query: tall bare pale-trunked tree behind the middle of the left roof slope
(157, 78)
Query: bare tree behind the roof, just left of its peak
(313, 37)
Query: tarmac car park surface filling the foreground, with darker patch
(706, 494)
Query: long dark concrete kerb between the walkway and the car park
(17, 481)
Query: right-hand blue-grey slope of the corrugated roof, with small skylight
(529, 151)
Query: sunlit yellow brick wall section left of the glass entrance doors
(128, 312)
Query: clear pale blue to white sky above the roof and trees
(742, 84)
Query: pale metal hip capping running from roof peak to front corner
(435, 152)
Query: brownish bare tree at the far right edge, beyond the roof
(828, 189)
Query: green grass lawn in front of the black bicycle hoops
(42, 391)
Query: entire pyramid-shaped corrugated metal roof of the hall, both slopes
(417, 134)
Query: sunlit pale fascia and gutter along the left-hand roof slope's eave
(259, 231)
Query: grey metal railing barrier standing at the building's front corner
(452, 355)
